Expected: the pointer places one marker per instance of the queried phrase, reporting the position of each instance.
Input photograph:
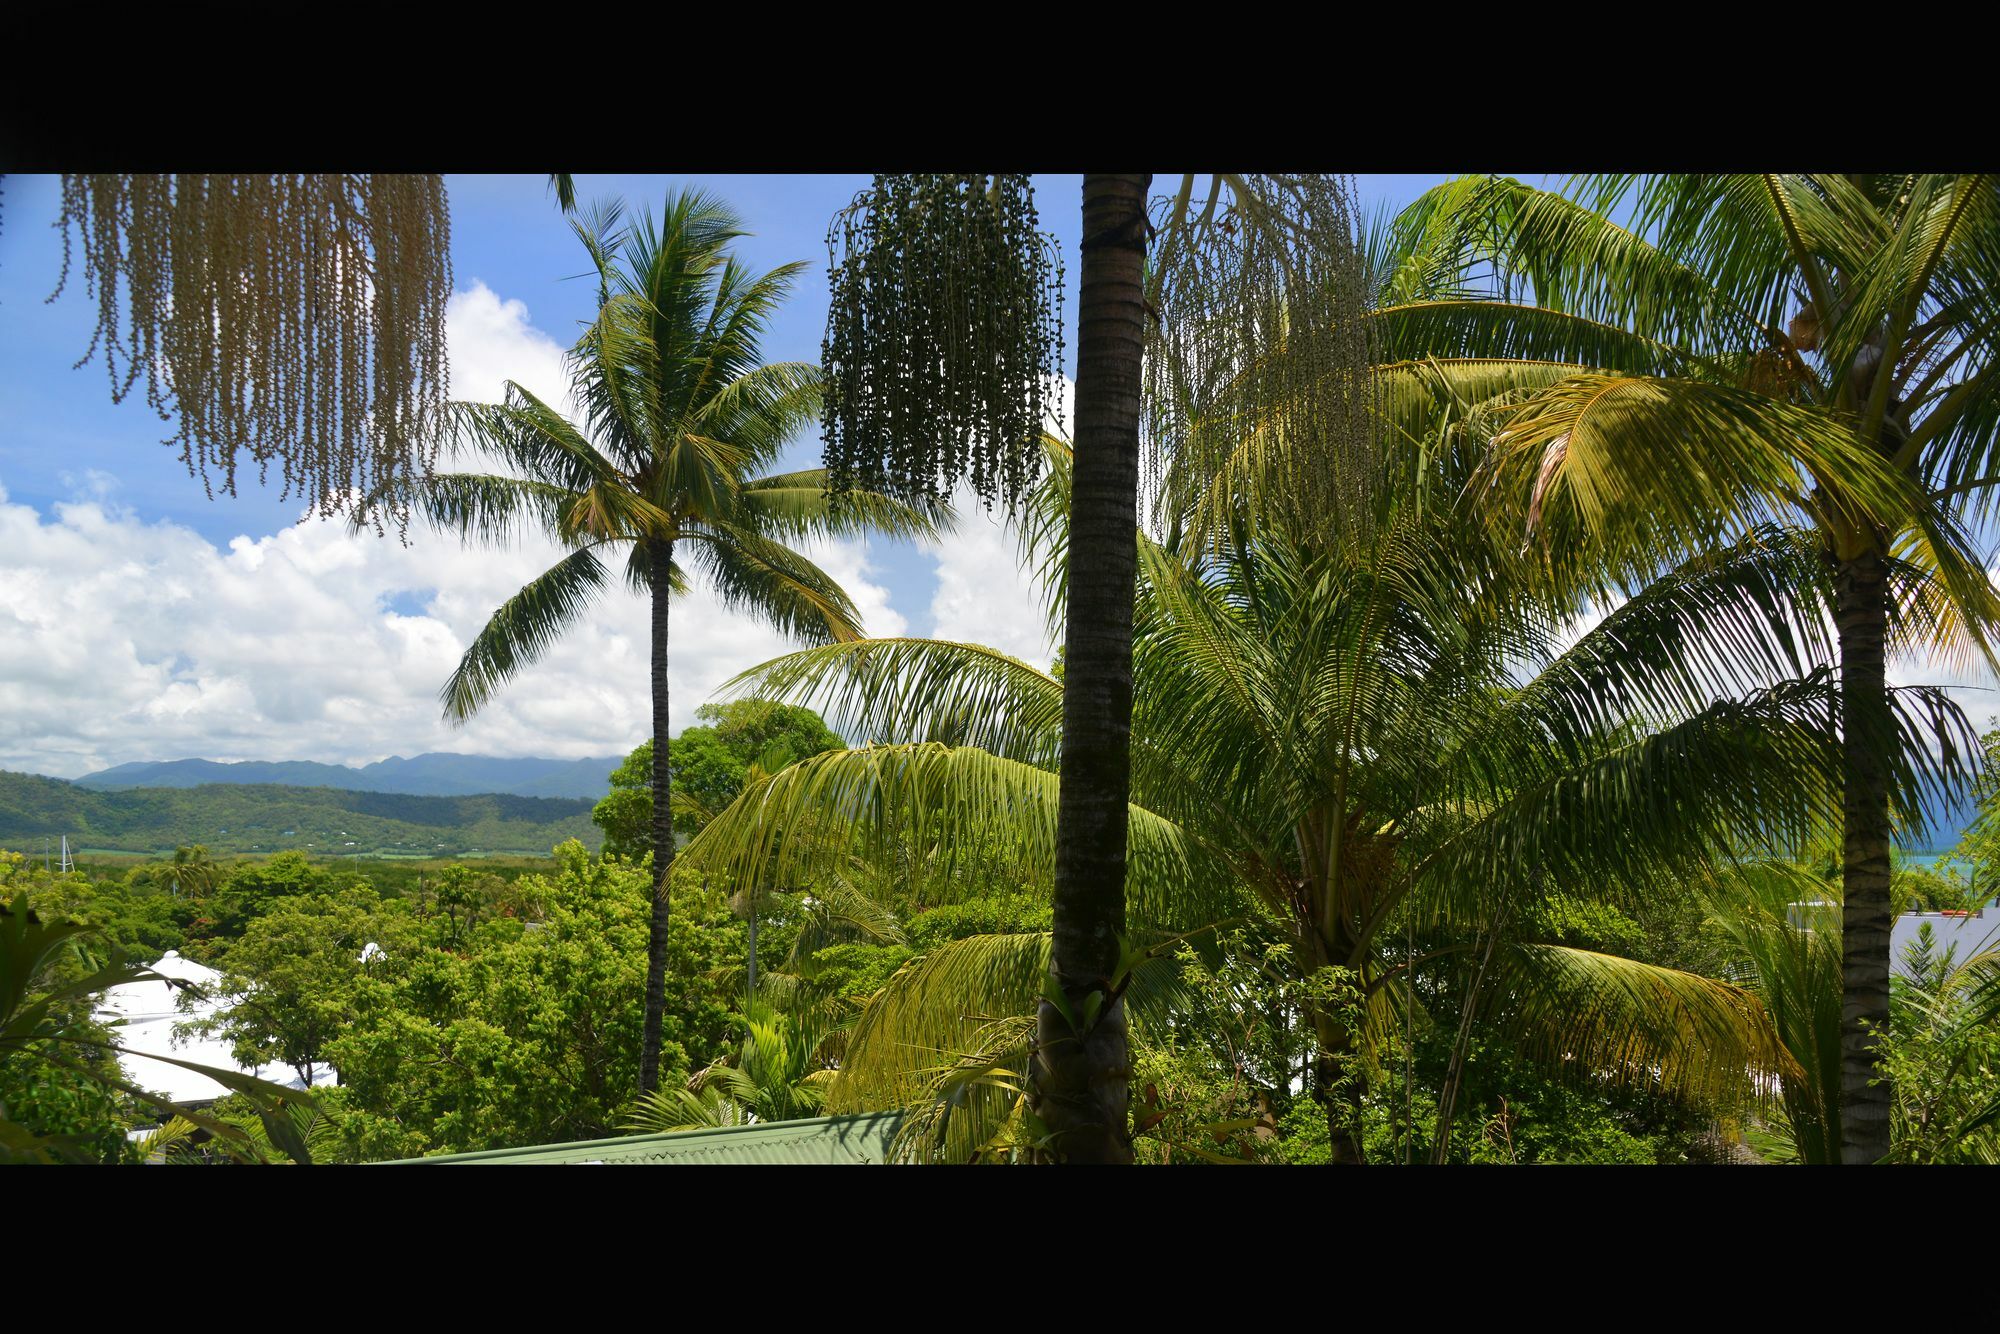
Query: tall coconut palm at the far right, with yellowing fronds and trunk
(1729, 355)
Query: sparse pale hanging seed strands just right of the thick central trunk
(1259, 359)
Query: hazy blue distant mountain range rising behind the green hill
(427, 775)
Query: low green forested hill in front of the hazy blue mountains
(267, 819)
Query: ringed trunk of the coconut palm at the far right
(1861, 613)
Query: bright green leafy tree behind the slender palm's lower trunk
(531, 1033)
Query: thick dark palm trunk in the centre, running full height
(1081, 1073)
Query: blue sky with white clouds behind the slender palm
(141, 621)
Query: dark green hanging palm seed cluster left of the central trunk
(945, 339)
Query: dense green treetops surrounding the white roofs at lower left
(469, 1013)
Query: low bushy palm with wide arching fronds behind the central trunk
(1333, 739)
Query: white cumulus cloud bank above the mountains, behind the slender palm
(125, 639)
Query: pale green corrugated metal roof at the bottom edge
(857, 1141)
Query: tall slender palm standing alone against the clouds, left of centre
(679, 421)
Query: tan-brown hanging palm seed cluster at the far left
(283, 319)
